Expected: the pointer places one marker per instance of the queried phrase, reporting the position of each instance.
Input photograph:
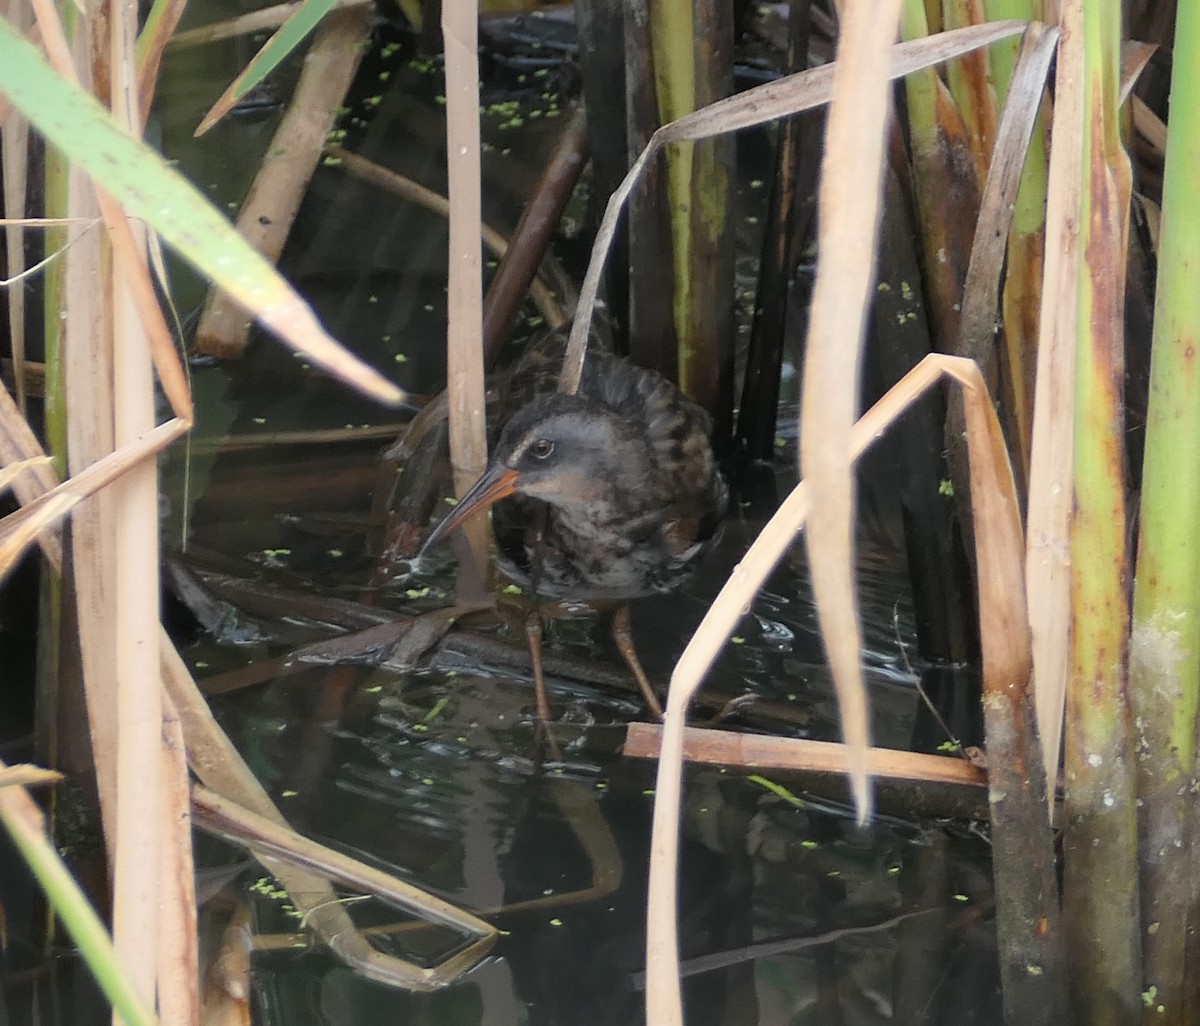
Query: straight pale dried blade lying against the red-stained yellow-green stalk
(1048, 550)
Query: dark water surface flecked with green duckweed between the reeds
(790, 913)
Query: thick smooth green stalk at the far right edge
(1165, 651)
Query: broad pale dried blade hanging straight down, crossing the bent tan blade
(849, 201)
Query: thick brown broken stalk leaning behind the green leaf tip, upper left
(271, 208)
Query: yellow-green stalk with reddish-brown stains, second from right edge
(1100, 830)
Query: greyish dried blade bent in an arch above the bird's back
(791, 95)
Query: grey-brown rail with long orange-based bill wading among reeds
(608, 495)
